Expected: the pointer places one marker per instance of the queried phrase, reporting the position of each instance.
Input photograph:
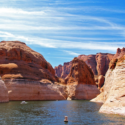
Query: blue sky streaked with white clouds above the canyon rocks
(63, 29)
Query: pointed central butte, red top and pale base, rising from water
(80, 81)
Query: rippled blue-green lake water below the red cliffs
(53, 112)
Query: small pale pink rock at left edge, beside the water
(3, 92)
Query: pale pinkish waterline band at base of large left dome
(29, 90)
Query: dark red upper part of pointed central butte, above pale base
(80, 73)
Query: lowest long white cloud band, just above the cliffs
(52, 43)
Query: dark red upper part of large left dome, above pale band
(19, 61)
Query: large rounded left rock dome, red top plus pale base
(27, 75)
